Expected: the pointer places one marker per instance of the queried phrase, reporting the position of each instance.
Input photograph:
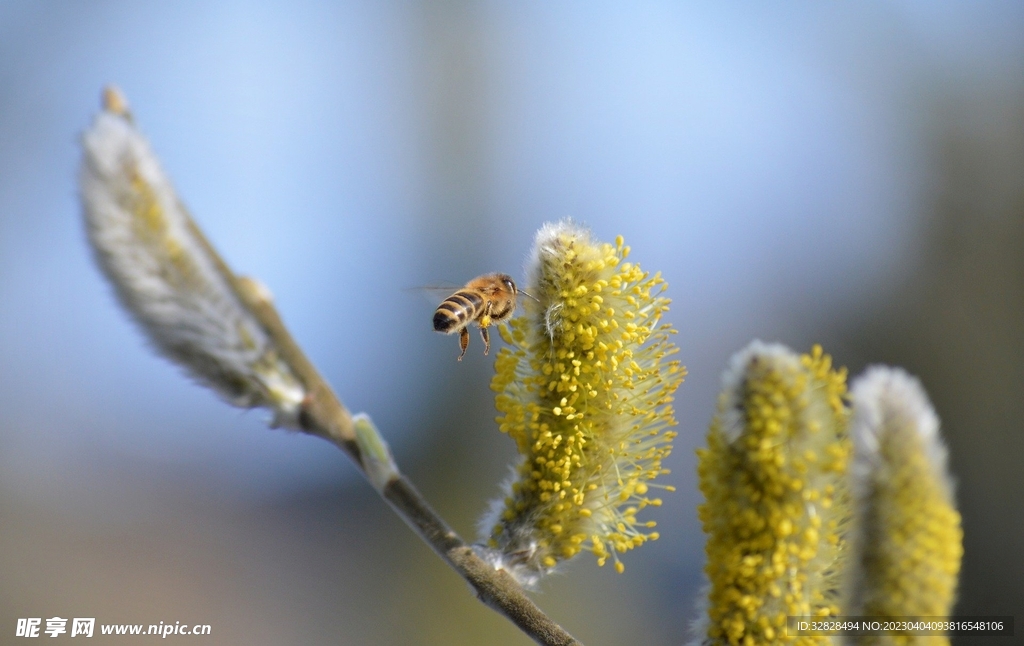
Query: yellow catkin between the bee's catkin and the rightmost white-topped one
(774, 480)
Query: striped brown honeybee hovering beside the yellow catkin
(486, 300)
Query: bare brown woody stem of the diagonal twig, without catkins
(325, 416)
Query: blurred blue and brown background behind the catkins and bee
(848, 175)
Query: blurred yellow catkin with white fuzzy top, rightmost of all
(909, 541)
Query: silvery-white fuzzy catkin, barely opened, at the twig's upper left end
(167, 276)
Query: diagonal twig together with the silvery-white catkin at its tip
(228, 335)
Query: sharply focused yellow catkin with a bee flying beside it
(585, 391)
